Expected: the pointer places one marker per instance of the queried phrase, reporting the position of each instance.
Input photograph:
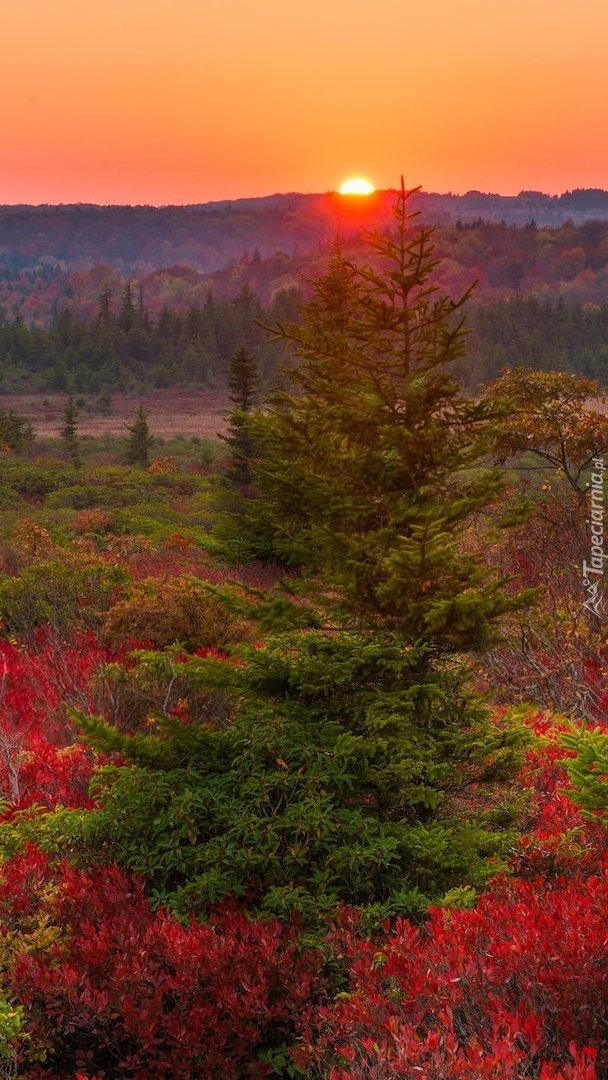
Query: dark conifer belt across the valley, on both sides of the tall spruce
(123, 348)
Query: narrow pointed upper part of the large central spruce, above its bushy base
(372, 469)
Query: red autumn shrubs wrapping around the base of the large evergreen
(514, 987)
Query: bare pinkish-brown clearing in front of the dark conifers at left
(171, 413)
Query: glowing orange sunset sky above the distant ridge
(173, 102)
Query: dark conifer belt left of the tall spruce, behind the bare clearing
(124, 348)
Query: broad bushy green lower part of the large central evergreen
(350, 773)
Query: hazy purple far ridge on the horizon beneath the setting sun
(137, 240)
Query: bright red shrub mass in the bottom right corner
(497, 992)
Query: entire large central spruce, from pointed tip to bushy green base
(359, 765)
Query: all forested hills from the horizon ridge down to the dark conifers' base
(89, 307)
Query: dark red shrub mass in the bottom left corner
(130, 993)
